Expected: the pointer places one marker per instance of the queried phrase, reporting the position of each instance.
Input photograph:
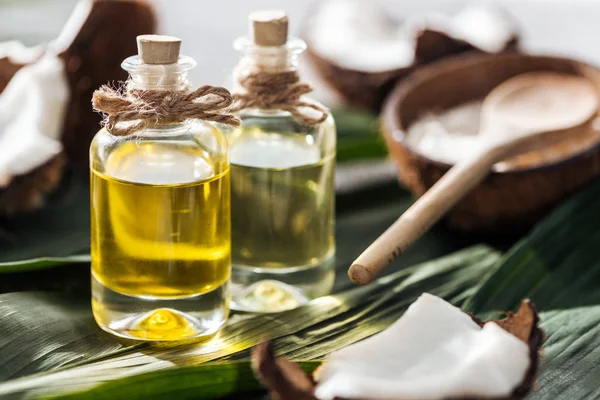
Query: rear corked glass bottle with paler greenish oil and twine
(282, 185)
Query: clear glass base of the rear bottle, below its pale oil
(270, 290)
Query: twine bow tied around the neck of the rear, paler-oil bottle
(278, 90)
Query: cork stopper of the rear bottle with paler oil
(269, 28)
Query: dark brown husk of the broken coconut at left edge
(107, 36)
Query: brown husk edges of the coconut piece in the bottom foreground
(287, 381)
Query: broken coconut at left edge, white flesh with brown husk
(45, 94)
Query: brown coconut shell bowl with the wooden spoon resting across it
(518, 192)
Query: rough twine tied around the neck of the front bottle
(130, 112)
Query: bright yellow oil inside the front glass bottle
(167, 239)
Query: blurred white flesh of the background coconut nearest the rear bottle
(358, 36)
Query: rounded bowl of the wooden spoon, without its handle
(534, 110)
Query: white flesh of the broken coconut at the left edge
(33, 104)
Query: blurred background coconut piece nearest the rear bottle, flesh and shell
(358, 49)
